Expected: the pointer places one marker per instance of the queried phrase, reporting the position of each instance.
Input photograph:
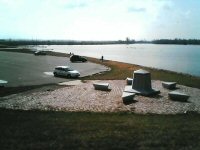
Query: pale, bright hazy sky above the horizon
(99, 19)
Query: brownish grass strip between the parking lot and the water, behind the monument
(120, 71)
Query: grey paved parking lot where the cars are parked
(21, 69)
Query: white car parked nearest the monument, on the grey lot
(66, 71)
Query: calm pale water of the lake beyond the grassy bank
(179, 58)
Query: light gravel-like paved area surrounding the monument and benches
(83, 97)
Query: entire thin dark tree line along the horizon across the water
(11, 42)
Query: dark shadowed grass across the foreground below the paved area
(66, 130)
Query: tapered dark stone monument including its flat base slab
(141, 84)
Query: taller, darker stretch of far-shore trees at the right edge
(177, 41)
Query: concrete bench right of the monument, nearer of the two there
(178, 96)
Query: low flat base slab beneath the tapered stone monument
(141, 92)
